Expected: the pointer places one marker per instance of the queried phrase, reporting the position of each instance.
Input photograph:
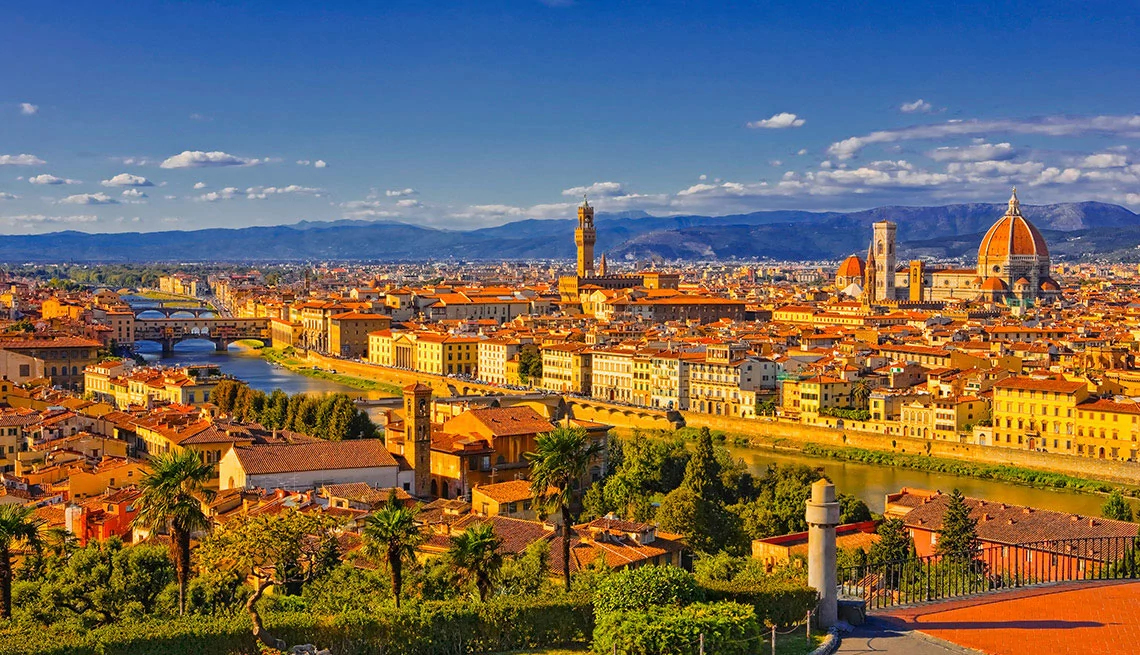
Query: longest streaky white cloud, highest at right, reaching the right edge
(1123, 126)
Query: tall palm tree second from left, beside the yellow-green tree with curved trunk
(173, 498)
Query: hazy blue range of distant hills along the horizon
(1081, 230)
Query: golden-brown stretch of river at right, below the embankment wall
(872, 484)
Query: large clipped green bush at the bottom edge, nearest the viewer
(729, 629)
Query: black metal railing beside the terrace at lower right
(990, 568)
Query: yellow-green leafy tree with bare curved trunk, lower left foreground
(287, 550)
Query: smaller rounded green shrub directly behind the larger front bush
(633, 589)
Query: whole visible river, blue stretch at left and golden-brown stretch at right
(869, 482)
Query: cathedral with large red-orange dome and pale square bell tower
(1013, 269)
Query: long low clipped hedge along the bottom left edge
(453, 628)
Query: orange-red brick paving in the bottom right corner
(1089, 618)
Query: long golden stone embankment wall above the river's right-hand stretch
(792, 435)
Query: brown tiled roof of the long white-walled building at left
(317, 456)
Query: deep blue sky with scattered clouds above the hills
(153, 117)
